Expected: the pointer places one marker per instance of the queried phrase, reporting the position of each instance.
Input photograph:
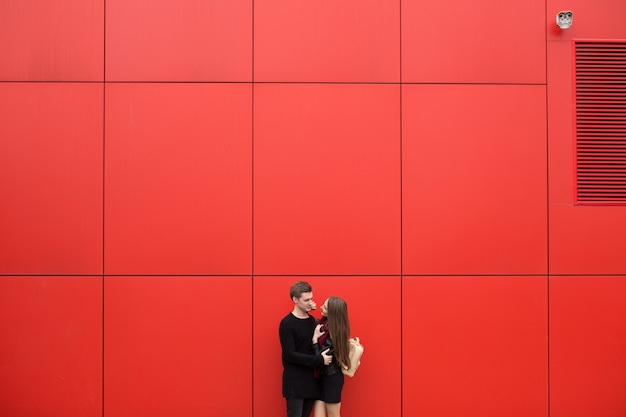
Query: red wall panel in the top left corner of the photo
(42, 40)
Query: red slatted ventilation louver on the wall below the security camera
(601, 122)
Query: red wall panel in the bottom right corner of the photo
(587, 345)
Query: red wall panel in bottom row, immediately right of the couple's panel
(475, 346)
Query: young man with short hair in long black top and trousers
(300, 387)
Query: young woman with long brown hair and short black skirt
(332, 332)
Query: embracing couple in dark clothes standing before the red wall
(314, 353)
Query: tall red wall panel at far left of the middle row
(51, 178)
